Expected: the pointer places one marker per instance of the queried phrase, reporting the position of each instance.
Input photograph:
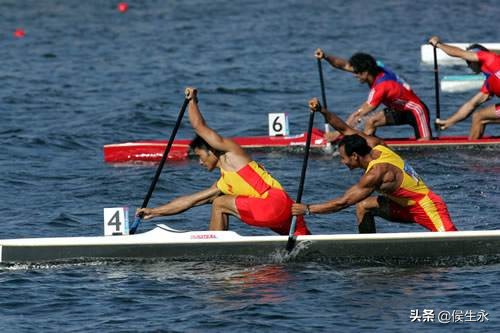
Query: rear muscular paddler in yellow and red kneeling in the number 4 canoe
(405, 197)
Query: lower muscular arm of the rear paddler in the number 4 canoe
(362, 190)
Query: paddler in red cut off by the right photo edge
(479, 59)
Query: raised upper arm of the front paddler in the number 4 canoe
(200, 127)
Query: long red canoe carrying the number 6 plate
(152, 150)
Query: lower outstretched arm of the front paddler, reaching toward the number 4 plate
(181, 204)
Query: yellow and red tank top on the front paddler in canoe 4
(251, 180)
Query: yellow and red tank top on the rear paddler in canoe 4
(412, 188)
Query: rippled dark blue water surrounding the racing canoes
(86, 75)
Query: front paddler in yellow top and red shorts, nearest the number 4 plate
(245, 189)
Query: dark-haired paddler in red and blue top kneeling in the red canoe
(403, 105)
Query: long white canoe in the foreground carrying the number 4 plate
(163, 242)
